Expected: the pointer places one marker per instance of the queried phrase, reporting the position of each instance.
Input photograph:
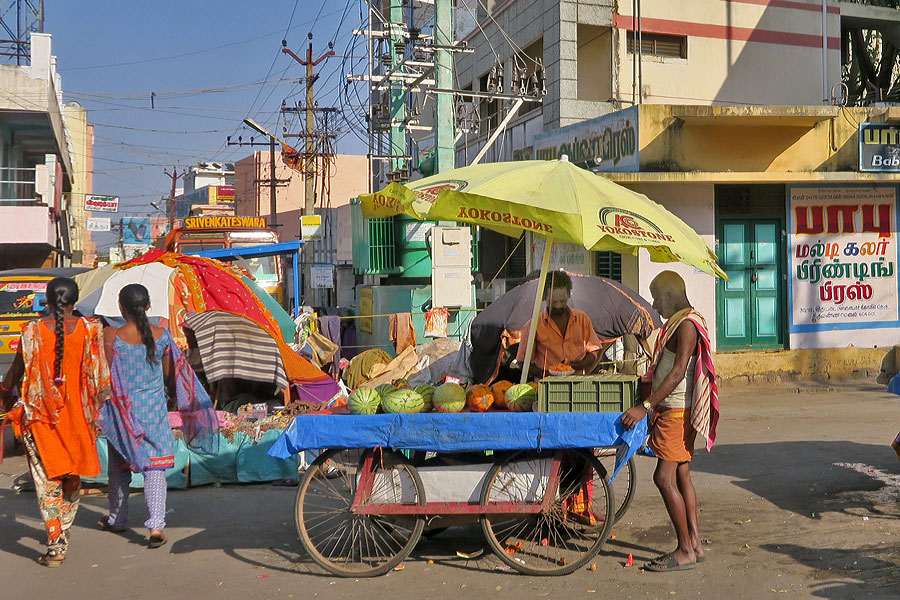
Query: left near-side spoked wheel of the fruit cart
(349, 544)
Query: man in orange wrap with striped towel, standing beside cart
(684, 403)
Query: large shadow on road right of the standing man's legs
(803, 477)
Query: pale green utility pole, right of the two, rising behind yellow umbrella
(445, 115)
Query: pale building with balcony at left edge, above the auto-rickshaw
(36, 165)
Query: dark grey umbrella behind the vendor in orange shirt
(614, 309)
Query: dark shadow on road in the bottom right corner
(871, 571)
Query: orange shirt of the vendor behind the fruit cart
(551, 348)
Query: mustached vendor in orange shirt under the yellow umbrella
(565, 336)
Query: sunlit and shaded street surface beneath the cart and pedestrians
(800, 498)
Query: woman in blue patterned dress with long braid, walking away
(147, 369)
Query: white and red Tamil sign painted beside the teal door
(843, 258)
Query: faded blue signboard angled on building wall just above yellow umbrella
(607, 143)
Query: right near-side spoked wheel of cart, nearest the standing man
(562, 539)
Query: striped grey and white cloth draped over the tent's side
(232, 346)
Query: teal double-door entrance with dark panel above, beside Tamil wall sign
(750, 246)
